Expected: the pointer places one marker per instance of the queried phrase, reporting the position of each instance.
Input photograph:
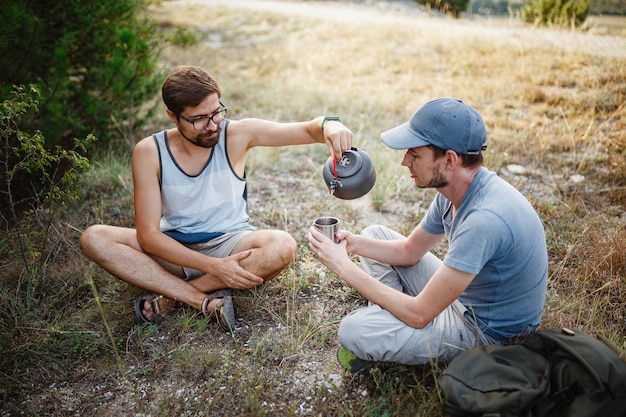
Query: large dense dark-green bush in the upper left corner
(95, 64)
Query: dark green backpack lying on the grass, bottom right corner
(557, 372)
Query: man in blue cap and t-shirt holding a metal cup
(490, 286)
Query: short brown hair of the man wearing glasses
(187, 86)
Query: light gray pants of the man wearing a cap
(374, 334)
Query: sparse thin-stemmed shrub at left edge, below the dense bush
(37, 187)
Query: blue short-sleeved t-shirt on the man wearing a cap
(497, 235)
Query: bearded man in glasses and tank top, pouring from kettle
(193, 241)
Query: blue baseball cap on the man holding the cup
(448, 123)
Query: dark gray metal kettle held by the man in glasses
(350, 177)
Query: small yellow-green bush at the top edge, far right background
(558, 13)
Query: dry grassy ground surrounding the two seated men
(552, 101)
